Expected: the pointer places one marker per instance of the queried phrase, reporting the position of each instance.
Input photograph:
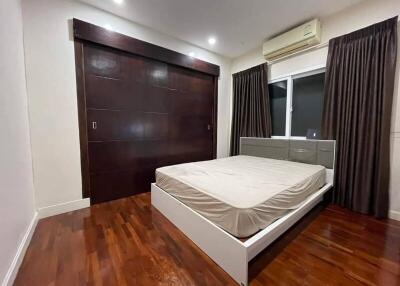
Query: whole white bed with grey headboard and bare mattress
(258, 195)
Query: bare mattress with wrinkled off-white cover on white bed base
(241, 194)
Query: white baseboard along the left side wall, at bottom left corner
(19, 255)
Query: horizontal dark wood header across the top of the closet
(92, 33)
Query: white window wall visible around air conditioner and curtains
(353, 18)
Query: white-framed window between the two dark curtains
(296, 104)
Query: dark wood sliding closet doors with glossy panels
(142, 114)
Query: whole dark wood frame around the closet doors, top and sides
(86, 33)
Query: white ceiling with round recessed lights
(238, 25)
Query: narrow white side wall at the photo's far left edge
(16, 184)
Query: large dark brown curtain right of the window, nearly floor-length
(359, 88)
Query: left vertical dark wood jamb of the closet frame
(81, 99)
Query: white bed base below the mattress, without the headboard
(231, 254)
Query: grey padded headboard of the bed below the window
(315, 152)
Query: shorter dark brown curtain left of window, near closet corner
(251, 112)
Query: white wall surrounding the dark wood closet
(50, 67)
